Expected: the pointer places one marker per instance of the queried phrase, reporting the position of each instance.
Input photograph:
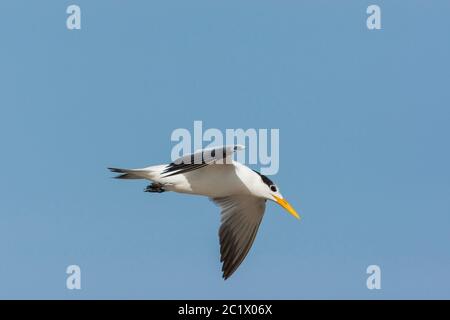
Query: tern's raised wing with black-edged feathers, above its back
(200, 159)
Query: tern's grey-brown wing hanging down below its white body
(241, 216)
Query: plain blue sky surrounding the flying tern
(364, 130)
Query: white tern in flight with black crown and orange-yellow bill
(239, 191)
